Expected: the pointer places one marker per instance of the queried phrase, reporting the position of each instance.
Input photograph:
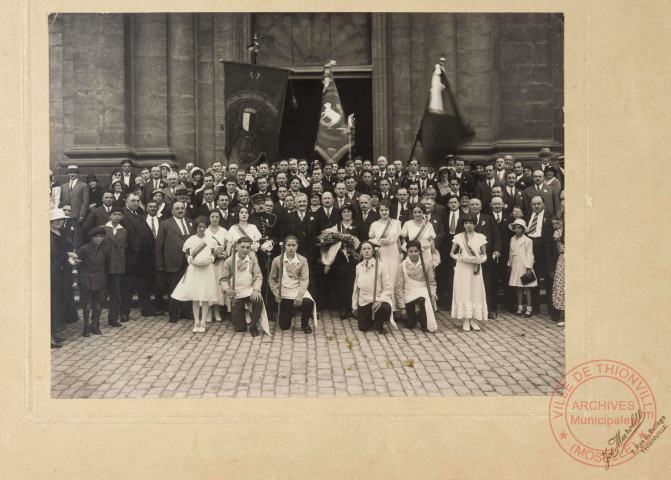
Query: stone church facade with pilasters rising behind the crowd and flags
(150, 87)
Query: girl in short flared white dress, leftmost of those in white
(198, 284)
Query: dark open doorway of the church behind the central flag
(299, 125)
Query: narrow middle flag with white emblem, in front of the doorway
(333, 138)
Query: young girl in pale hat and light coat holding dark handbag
(521, 262)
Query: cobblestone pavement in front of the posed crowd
(152, 358)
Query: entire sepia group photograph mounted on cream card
(291, 205)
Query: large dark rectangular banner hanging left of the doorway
(254, 99)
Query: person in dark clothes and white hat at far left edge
(62, 296)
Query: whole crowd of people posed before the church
(378, 241)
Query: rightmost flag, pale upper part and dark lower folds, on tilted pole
(443, 127)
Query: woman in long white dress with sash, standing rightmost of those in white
(469, 302)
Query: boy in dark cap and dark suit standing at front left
(93, 266)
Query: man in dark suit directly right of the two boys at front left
(139, 260)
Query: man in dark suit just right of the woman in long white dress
(486, 226)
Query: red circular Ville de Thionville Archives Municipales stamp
(600, 412)
